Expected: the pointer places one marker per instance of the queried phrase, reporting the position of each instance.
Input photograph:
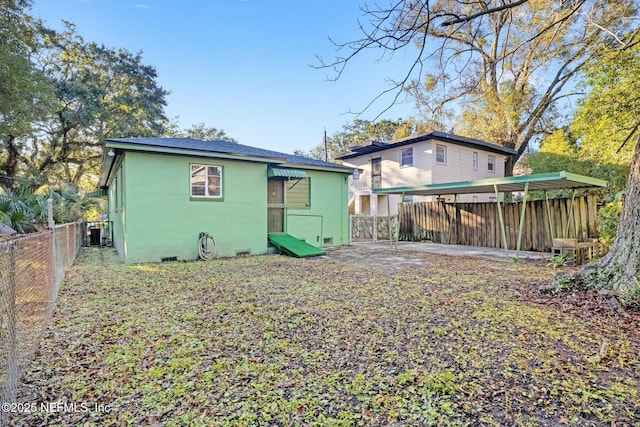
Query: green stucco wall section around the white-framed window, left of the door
(161, 220)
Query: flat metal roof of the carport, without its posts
(537, 182)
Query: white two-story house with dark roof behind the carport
(428, 158)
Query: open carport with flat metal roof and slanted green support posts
(536, 182)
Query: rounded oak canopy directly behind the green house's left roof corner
(100, 92)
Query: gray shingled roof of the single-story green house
(225, 147)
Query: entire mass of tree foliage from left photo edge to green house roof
(64, 96)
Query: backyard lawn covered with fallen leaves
(271, 340)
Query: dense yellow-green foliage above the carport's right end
(592, 143)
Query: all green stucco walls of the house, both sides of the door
(158, 219)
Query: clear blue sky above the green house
(244, 65)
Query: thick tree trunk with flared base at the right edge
(619, 270)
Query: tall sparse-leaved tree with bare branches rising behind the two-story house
(497, 71)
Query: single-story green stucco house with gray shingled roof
(164, 192)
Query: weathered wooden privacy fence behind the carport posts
(478, 224)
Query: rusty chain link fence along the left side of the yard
(31, 269)
